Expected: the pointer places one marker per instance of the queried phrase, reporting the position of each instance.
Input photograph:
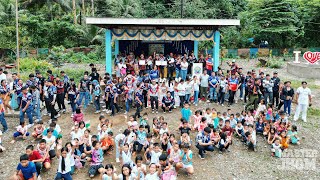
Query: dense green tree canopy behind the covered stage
(282, 23)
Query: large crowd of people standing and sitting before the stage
(148, 149)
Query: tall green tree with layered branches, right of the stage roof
(277, 22)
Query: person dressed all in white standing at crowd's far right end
(303, 98)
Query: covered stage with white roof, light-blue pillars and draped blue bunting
(181, 36)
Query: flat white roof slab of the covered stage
(166, 24)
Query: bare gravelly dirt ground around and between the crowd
(237, 164)
